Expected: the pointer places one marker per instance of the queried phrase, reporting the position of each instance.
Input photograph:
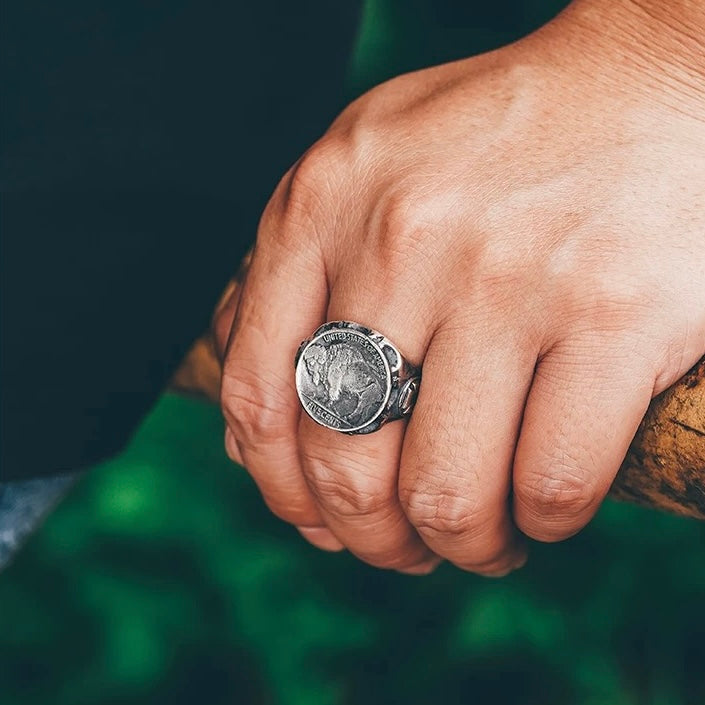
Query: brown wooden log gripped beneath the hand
(665, 465)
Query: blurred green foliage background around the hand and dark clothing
(163, 578)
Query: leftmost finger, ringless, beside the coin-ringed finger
(283, 299)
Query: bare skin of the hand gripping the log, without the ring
(529, 224)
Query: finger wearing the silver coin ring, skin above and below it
(354, 478)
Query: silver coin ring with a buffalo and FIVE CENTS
(351, 379)
